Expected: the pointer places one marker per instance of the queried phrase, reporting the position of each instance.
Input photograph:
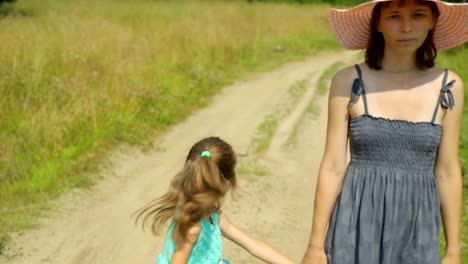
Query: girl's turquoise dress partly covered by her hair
(207, 249)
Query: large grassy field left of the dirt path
(80, 77)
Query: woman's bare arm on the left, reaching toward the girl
(333, 165)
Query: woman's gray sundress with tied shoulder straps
(388, 211)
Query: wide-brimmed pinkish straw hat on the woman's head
(351, 26)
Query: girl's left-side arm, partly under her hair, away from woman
(184, 245)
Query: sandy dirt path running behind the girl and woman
(95, 226)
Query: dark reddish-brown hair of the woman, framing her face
(425, 55)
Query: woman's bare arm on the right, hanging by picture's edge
(448, 173)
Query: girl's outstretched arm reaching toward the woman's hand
(255, 247)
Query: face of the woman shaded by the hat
(405, 26)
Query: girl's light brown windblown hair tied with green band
(197, 189)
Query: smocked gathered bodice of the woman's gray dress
(393, 143)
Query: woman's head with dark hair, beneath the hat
(404, 25)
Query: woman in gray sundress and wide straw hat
(402, 116)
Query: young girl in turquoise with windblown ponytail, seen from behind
(193, 203)
